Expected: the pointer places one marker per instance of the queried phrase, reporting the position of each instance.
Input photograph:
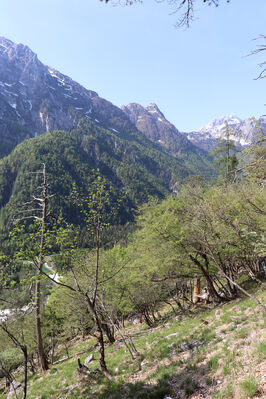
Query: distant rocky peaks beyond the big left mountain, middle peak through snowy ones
(153, 124)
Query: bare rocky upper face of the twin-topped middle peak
(153, 124)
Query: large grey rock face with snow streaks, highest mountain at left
(36, 98)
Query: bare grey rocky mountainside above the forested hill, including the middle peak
(35, 99)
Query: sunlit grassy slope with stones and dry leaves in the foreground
(230, 363)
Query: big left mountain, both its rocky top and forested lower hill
(88, 132)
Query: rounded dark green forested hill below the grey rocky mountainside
(138, 168)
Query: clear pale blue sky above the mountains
(134, 54)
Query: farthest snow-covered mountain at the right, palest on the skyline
(244, 131)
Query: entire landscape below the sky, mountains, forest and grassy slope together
(155, 239)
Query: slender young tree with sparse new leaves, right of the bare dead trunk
(97, 208)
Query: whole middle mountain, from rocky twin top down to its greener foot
(153, 124)
